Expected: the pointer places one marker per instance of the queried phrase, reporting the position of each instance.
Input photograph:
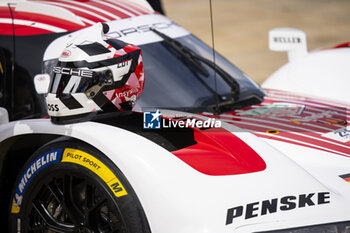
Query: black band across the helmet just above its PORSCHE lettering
(98, 64)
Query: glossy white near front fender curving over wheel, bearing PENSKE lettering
(171, 190)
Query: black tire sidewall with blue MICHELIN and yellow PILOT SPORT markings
(128, 204)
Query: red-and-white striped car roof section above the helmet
(40, 17)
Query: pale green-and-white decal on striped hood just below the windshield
(276, 109)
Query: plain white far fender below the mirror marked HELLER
(321, 73)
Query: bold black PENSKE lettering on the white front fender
(286, 203)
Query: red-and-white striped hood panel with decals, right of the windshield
(296, 119)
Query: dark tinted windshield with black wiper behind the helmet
(173, 82)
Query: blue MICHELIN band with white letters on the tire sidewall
(39, 163)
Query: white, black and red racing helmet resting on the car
(95, 74)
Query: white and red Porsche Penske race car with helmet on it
(205, 149)
